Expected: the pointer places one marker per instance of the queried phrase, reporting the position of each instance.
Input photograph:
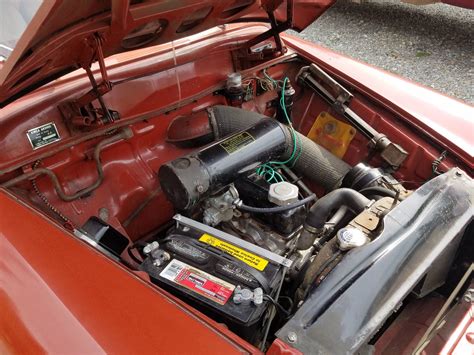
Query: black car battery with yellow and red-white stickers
(207, 272)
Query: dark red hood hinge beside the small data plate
(80, 114)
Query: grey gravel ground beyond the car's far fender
(431, 44)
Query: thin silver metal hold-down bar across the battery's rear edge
(267, 254)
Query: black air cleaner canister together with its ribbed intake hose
(250, 140)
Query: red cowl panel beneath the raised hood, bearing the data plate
(157, 85)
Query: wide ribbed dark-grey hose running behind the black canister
(315, 162)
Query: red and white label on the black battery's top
(198, 281)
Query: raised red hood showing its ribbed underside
(66, 35)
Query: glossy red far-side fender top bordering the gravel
(447, 120)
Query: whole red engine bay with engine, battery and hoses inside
(244, 200)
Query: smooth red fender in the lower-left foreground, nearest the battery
(60, 296)
